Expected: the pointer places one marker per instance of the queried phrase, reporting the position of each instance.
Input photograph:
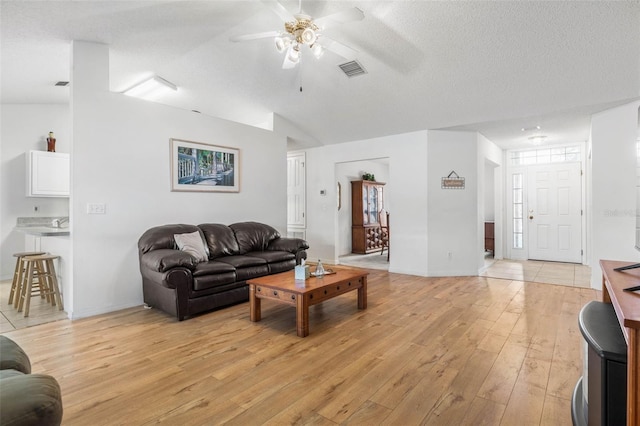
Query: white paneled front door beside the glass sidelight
(555, 212)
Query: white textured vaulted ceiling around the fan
(493, 67)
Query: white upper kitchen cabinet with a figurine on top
(48, 174)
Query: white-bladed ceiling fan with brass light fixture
(302, 30)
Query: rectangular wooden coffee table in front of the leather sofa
(284, 288)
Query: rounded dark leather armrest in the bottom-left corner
(33, 399)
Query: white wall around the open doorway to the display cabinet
(407, 155)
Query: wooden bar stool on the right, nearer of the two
(39, 272)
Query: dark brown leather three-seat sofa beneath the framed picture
(175, 282)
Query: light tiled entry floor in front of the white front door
(570, 274)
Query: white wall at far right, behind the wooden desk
(613, 201)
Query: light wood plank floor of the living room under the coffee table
(434, 351)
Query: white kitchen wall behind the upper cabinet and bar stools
(25, 127)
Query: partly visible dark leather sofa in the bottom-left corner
(26, 399)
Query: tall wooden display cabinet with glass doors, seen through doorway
(367, 199)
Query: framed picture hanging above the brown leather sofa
(202, 167)
